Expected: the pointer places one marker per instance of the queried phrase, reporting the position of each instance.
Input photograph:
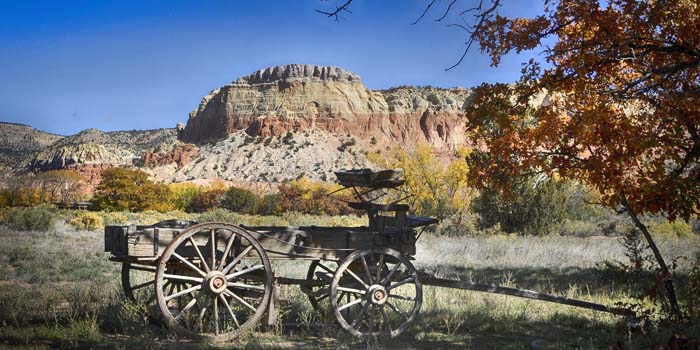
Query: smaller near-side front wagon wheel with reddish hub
(376, 292)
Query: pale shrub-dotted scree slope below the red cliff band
(243, 158)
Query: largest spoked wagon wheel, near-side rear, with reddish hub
(221, 278)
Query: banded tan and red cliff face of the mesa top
(297, 97)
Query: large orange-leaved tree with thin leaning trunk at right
(623, 85)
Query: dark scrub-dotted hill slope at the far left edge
(19, 142)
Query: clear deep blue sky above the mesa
(120, 65)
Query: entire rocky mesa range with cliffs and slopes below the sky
(276, 124)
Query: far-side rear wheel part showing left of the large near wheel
(138, 284)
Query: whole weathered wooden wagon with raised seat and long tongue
(215, 280)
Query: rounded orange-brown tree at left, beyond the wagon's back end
(130, 189)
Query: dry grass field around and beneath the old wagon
(58, 289)
